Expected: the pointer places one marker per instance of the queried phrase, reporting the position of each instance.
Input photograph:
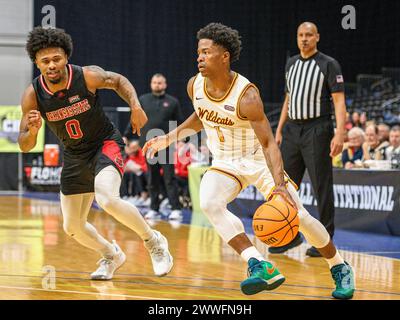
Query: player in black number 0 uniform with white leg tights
(65, 95)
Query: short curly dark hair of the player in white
(224, 36)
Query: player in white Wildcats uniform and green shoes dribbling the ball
(240, 138)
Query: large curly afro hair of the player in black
(41, 38)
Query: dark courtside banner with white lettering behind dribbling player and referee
(365, 200)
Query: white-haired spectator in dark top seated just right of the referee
(353, 151)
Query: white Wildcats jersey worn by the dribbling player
(229, 136)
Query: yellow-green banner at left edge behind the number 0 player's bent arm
(10, 117)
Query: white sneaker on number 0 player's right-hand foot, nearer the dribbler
(160, 256)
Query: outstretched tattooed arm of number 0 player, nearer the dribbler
(98, 78)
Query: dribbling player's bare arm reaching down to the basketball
(252, 109)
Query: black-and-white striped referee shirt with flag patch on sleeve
(309, 84)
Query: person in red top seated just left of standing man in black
(135, 174)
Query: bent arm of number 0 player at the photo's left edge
(31, 120)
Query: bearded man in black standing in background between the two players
(164, 112)
